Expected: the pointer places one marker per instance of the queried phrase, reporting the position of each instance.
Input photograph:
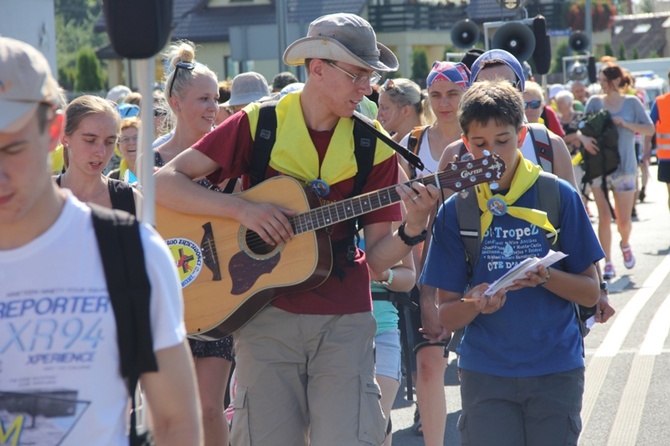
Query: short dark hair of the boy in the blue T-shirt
(486, 100)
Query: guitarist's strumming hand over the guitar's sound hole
(269, 221)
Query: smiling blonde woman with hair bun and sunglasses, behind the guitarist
(192, 92)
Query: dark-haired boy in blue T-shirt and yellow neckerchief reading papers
(521, 357)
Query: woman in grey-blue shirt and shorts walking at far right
(630, 117)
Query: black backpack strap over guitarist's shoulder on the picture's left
(264, 140)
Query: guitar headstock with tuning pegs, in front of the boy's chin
(463, 174)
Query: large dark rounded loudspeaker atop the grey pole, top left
(138, 29)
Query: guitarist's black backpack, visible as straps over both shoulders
(364, 151)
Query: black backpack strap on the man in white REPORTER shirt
(120, 245)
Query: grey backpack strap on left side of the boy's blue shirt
(467, 214)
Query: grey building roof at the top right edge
(645, 32)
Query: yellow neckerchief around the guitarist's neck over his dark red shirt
(294, 153)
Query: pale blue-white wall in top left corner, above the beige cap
(36, 28)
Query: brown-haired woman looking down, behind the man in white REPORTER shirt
(89, 140)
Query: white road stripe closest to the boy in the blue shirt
(596, 369)
